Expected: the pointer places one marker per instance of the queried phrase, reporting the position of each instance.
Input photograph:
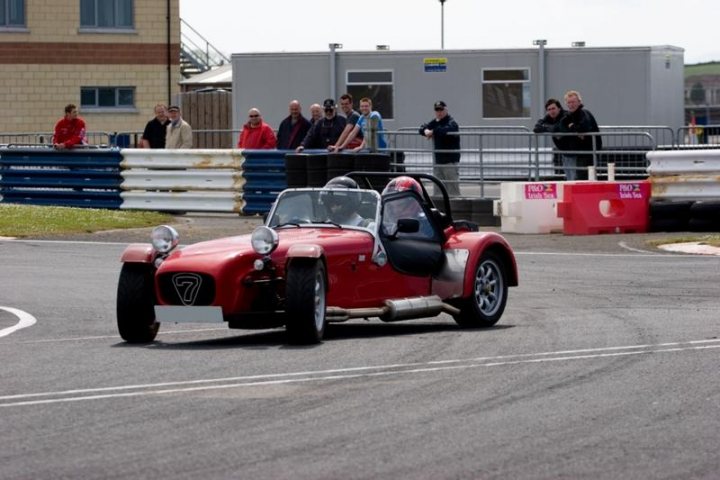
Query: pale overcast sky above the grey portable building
(245, 26)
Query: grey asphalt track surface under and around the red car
(603, 366)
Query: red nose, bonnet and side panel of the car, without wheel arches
(354, 281)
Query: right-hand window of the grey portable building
(506, 93)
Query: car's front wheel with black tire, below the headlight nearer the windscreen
(305, 301)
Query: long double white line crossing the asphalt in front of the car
(347, 373)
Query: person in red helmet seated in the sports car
(407, 206)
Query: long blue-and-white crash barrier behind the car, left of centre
(148, 179)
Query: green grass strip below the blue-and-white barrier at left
(33, 221)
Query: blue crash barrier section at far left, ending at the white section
(81, 177)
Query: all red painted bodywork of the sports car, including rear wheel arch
(354, 280)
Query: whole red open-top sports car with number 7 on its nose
(324, 255)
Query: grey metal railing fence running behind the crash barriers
(489, 154)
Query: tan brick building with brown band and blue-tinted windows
(115, 60)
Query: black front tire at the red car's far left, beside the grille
(136, 303)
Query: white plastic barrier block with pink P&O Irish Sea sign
(529, 207)
